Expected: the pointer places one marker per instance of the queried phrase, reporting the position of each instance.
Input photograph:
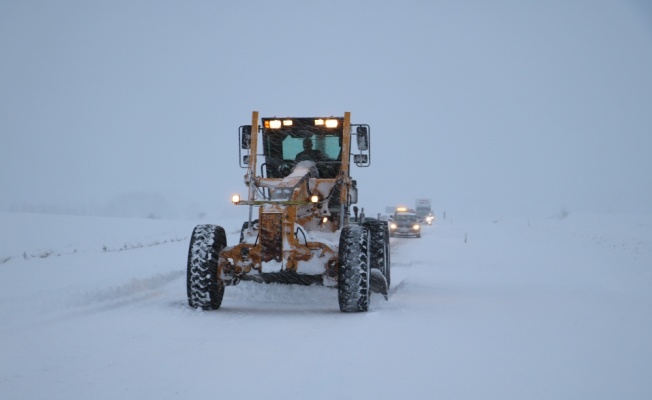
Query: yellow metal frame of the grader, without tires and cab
(293, 234)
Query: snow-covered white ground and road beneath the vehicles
(95, 308)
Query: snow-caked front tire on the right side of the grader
(353, 272)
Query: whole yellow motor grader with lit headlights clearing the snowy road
(300, 229)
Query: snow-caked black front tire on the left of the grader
(205, 290)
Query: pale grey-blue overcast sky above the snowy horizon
(491, 107)
